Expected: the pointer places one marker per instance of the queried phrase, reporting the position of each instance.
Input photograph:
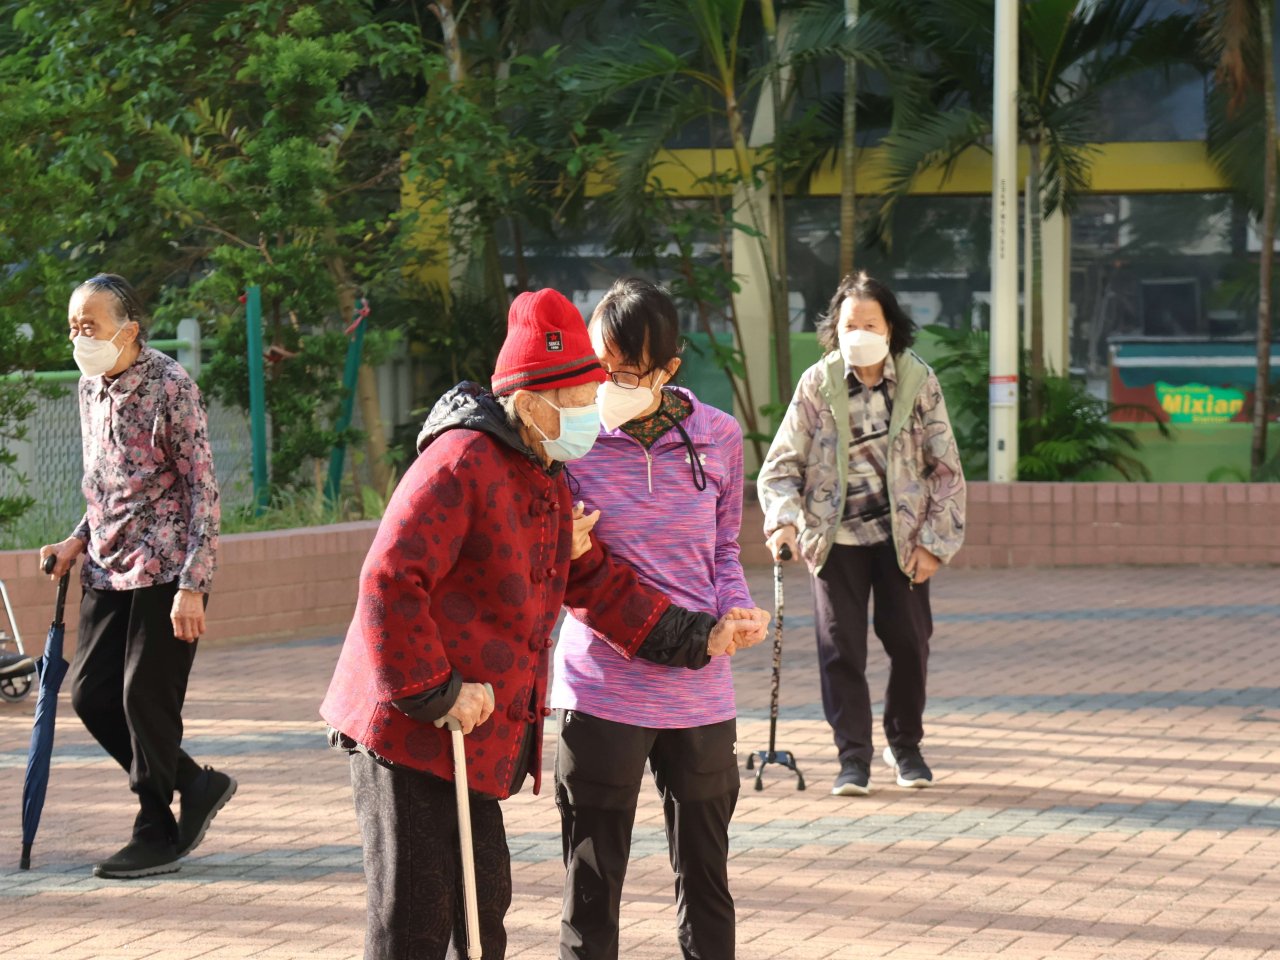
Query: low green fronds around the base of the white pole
(1073, 440)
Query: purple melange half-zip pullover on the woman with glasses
(683, 542)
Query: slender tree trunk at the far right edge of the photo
(1263, 383)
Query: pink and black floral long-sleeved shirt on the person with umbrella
(149, 479)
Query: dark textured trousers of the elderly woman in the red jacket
(409, 822)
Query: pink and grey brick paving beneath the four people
(1108, 748)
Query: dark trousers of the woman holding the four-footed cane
(904, 625)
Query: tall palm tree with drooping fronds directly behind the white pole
(1069, 54)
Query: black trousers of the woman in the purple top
(600, 769)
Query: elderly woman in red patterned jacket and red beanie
(463, 588)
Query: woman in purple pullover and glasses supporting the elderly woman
(666, 477)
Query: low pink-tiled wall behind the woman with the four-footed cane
(1071, 525)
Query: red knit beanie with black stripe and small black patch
(547, 346)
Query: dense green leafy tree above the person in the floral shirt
(203, 148)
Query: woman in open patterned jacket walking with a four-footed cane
(865, 483)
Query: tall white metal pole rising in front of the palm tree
(1004, 250)
